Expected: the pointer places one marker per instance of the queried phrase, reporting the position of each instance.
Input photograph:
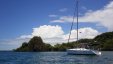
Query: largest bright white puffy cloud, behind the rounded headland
(50, 34)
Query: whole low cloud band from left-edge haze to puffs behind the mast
(50, 34)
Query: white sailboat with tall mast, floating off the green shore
(80, 50)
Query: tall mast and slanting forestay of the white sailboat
(76, 8)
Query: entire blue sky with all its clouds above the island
(20, 20)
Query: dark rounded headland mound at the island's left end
(35, 44)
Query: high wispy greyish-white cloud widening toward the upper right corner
(104, 17)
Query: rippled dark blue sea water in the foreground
(53, 58)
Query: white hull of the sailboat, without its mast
(82, 51)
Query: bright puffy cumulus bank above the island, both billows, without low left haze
(55, 34)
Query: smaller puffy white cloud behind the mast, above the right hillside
(86, 32)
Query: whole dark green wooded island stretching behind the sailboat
(103, 42)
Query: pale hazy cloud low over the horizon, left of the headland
(10, 44)
